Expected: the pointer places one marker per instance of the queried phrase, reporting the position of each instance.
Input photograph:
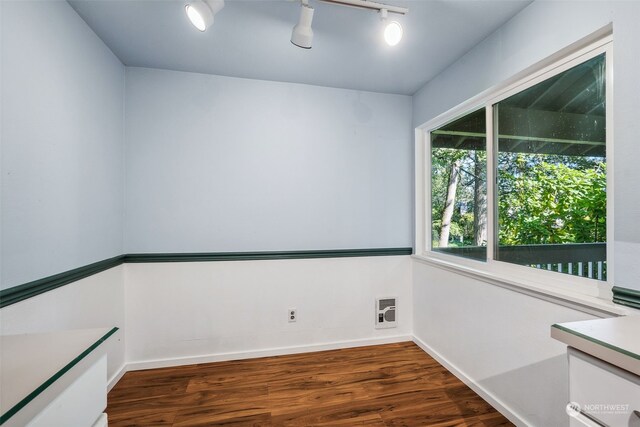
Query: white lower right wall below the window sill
(499, 339)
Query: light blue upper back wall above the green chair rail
(226, 164)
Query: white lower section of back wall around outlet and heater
(218, 310)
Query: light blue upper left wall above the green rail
(62, 143)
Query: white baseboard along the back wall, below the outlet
(191, 360)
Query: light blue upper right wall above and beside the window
(539, 31)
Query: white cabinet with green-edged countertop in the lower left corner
(55, 379)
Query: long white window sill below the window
(586, 303)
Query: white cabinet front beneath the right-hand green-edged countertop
(605, 394)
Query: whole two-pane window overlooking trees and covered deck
(520, 177)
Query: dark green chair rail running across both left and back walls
(37, 287)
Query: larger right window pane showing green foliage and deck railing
(551, 173)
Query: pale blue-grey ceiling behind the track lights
(250, 38)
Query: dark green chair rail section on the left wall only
(22, 292)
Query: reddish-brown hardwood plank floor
(385, 385)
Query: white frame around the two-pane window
(538, 279)
